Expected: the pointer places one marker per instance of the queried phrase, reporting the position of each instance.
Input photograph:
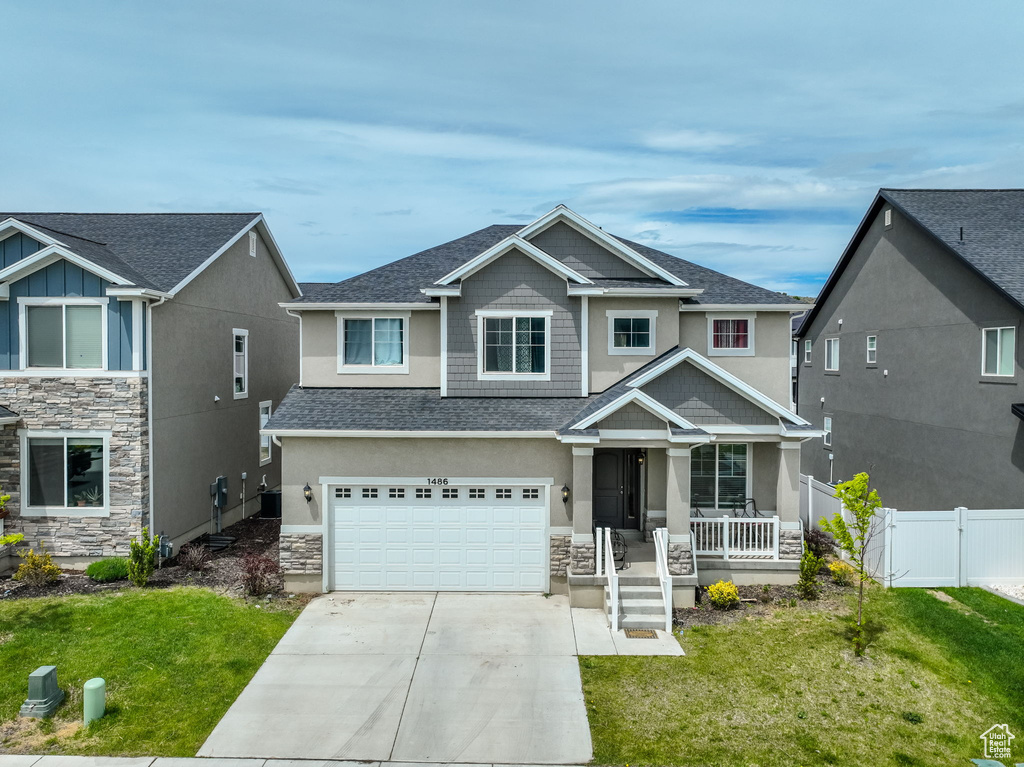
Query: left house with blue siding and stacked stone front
(140, 355)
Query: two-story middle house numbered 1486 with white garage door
(466, 416)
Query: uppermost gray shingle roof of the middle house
(402, 281)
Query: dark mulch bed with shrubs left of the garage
(224, 573)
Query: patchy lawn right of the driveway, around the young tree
(787, 691)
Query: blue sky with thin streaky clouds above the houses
(746, 137)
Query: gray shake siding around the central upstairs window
(517, 283)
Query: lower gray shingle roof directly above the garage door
(417, 410)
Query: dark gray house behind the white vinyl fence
(910, 361)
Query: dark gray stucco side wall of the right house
(932, 432)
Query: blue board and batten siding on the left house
(59, 280)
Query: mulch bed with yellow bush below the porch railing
(757, 603)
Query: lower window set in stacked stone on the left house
(66, 473)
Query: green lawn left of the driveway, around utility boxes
(175, 661)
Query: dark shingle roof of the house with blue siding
(153, 250)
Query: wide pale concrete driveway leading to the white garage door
(478, 678)
